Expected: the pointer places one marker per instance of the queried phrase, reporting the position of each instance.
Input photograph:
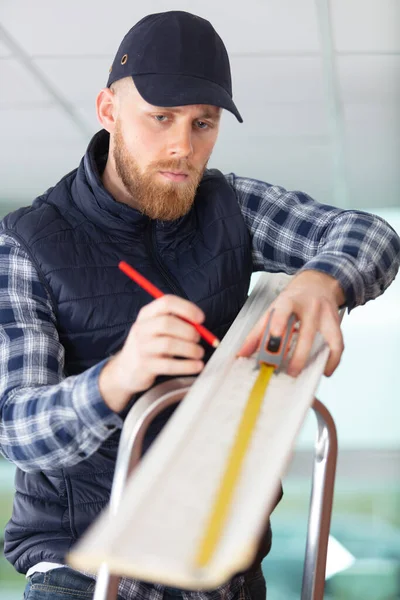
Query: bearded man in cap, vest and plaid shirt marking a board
(80, 341)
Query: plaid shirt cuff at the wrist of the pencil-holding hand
(90, 406)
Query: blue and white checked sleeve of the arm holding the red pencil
(47, 420)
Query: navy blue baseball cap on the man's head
(175, 59)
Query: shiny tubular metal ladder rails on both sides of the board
(171, 392)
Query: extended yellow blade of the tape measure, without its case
(220, 509)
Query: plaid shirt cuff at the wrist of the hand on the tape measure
(343, 269)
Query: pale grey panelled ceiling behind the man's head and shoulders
(317, 83)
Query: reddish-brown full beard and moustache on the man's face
(165, 201)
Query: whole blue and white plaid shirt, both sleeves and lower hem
(49, 420)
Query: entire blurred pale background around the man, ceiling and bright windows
(318, 86)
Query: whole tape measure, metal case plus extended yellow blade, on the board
(272, 353)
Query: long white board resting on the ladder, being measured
(169, 497)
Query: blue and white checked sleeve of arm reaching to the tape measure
(290, 232)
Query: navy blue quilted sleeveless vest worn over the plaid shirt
(76, 234)
